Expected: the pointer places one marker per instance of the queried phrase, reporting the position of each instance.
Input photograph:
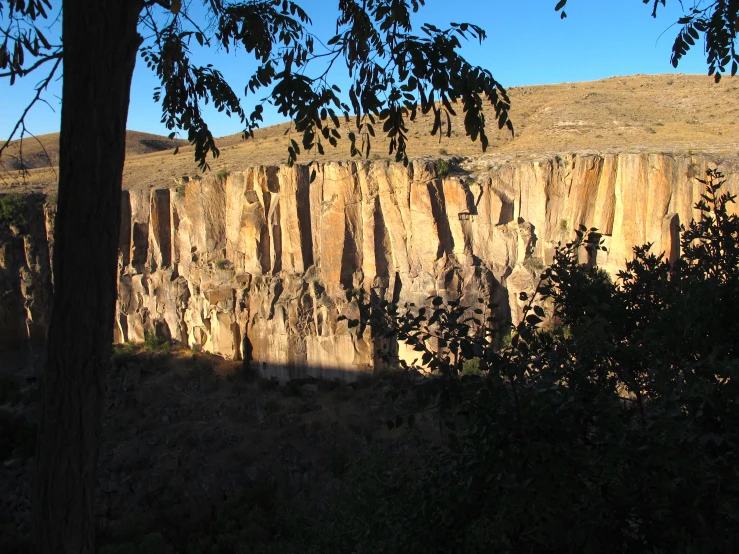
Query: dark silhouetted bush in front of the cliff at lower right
(618, 435)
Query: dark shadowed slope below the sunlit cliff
(198, 453)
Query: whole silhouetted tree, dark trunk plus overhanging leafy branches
(393, 74)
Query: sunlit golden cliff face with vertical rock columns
(259, 265)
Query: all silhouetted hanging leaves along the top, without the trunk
(393, 72)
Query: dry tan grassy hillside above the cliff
(642, 112)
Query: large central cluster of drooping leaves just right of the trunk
(394, 73)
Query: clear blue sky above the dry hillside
(527, 44)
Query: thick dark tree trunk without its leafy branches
(100, 46)
